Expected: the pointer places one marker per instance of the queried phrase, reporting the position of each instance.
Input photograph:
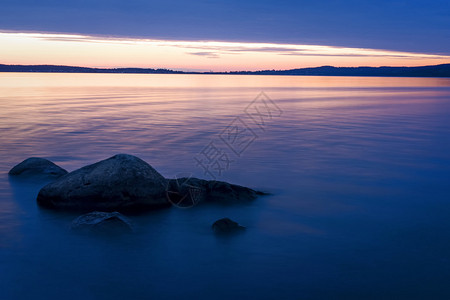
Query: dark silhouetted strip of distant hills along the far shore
(425, 71)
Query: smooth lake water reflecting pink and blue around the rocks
(359, 169)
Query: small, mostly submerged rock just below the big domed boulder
(102, 222)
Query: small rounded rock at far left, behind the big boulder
(36, 166)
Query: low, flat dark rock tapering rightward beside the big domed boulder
(186, 192)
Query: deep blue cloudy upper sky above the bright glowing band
(415, 26)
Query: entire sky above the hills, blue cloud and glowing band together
(224, 35)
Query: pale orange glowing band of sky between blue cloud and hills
(92, 51)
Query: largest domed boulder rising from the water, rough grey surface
(122, 182)
